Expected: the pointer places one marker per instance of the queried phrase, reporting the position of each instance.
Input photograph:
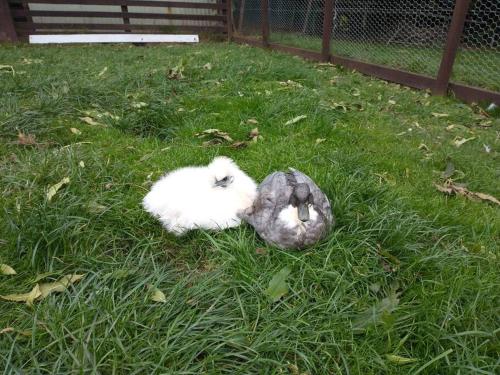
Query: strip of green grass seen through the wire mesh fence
(472, 67)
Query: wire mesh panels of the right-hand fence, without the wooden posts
(402, 34)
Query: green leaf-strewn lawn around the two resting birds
(407, 271)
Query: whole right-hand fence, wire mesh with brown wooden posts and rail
(447, 46)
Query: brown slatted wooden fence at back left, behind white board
(19, 18)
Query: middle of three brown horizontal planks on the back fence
(121, 15)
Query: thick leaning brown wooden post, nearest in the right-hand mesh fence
(452, 43)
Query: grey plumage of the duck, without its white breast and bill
(274, 194)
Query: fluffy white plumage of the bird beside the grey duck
(187, 198)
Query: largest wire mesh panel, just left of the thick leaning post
(404, 34)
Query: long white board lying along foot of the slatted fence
(113, 38)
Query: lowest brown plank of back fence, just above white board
(20, 26)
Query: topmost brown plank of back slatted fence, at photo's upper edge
(162, 4)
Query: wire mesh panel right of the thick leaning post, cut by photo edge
(478, 58)
